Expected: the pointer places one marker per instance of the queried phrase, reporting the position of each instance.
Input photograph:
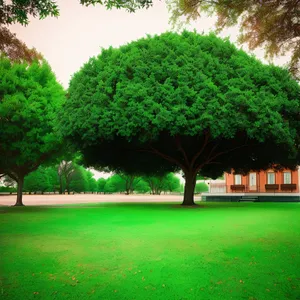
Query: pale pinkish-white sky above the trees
(67, 42)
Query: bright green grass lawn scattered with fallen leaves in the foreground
(151, 251)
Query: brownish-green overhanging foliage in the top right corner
(271, 24)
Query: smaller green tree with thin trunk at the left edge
(30, 98)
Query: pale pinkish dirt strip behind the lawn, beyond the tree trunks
(87, 198)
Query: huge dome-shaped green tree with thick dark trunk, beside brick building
(188, 102)
